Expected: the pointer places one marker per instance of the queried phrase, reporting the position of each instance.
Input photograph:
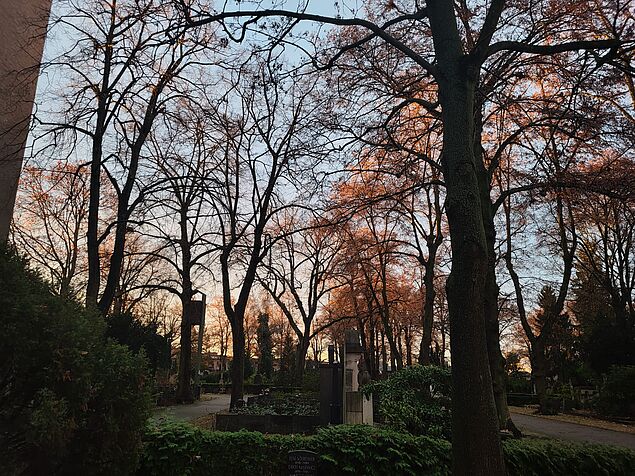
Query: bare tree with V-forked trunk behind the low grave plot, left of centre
(269, 145)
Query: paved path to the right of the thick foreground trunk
(572, 431)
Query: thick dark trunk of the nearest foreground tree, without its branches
(476, 448)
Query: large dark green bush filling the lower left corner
(70, 401)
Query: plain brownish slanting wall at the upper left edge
(22, 32)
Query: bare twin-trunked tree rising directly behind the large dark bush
(123, 68)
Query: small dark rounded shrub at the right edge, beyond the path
(617, 395)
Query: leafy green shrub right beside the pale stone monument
(415, 399)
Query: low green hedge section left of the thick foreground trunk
(175, 449)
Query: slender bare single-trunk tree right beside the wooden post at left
(177, 219)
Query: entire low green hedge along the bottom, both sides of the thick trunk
(173, 449)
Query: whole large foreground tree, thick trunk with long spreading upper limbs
(457, 41)
